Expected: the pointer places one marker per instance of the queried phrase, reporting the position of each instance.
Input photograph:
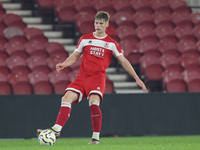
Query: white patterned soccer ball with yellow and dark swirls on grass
(47, 137)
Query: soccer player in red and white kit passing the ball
(97, 49)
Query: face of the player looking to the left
(100, 25)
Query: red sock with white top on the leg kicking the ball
(64, 114)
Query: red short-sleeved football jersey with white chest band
(96, 53)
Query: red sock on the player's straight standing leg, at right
(96, 118)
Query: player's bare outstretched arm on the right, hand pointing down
(127, 66)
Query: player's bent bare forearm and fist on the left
(69, 61)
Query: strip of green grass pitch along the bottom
(119, 143)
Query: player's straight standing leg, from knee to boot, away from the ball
(96, 117)
